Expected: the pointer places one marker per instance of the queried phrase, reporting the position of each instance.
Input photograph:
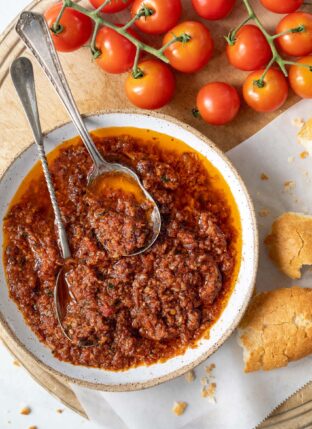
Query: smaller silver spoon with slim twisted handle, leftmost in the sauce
(23, 79)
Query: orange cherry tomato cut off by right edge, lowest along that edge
(300, 78)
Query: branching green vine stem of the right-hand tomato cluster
(276, 57)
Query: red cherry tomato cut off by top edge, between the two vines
(213, 9)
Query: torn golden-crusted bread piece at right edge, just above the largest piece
(290, 243)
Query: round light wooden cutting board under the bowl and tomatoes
(95, 91)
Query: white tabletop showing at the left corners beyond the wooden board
(17, 387)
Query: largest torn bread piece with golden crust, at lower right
(277, 328)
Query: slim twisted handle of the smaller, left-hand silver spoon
(23, 78)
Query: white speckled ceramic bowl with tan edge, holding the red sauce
(12, 320)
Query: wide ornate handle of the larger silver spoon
(34, 32)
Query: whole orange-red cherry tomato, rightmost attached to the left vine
(193, 54)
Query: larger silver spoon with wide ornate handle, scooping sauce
(33, 30)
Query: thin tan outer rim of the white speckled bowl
(127, 387)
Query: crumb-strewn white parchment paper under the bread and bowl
(243, 401)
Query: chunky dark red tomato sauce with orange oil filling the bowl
(141, 309)
